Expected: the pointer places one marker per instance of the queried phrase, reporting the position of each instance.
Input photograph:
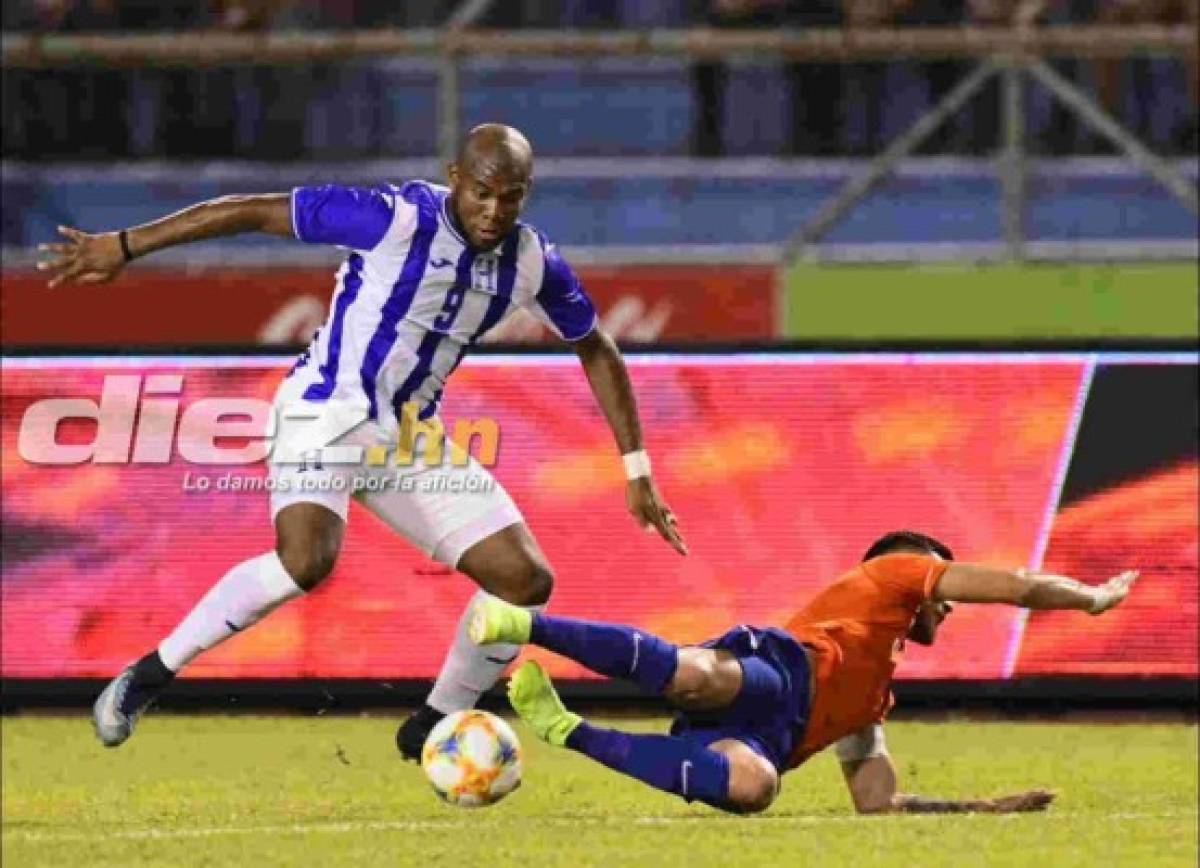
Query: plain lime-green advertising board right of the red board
(994, 302)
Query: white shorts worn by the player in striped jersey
(443, 511)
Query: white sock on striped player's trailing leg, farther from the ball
(242, 598)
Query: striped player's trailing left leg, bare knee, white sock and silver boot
(308, 541)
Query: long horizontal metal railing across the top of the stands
(26, 50)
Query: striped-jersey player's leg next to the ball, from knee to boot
(508, 566)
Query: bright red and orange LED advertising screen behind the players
(783, 470)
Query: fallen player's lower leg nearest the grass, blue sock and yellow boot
(727, 775)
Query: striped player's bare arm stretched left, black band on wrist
(97, 259)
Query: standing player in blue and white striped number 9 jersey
(429, 272)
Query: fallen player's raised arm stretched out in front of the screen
(967, 583)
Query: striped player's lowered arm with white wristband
(609, 380)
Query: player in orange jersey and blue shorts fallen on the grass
(758, 703)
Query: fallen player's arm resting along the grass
(872, 780)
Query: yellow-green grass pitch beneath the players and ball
(328, 792)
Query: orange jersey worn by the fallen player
(856, 631)
